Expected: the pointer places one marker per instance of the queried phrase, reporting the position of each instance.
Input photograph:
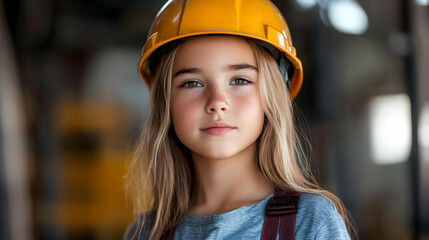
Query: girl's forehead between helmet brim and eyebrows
(214, 51)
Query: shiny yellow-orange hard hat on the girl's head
(259, 20)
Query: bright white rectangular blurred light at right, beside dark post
(390, 125)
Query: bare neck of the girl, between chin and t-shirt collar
(226, 184)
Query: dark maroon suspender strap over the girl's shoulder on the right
(281, 208)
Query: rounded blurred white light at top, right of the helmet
(347, 16)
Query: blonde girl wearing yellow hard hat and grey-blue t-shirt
(220, 138)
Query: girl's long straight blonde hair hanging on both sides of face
(160, 175)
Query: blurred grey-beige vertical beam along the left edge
(14, 161)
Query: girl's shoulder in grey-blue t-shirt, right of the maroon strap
(318, 218)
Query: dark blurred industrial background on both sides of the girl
(71, 105)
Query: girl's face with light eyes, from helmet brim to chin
(216, 109)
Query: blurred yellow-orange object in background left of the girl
(92, 203)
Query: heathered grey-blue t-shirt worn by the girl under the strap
(317, 218)
